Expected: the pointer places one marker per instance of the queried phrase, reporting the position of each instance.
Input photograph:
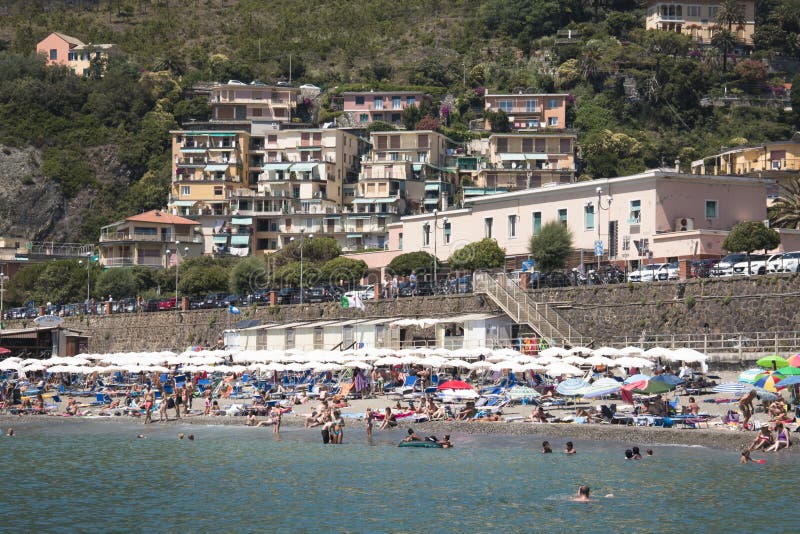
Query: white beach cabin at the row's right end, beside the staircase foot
(473, 330)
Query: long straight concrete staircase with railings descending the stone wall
(513, 300)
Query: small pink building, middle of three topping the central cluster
(386, 106)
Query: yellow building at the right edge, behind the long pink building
(770, 160)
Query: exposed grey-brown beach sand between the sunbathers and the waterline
(717, 435)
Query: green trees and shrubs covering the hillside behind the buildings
(640, 98)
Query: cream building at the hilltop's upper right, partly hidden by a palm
(698, 19)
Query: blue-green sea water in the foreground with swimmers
(100, 477)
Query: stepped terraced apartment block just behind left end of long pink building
(407, 169)
